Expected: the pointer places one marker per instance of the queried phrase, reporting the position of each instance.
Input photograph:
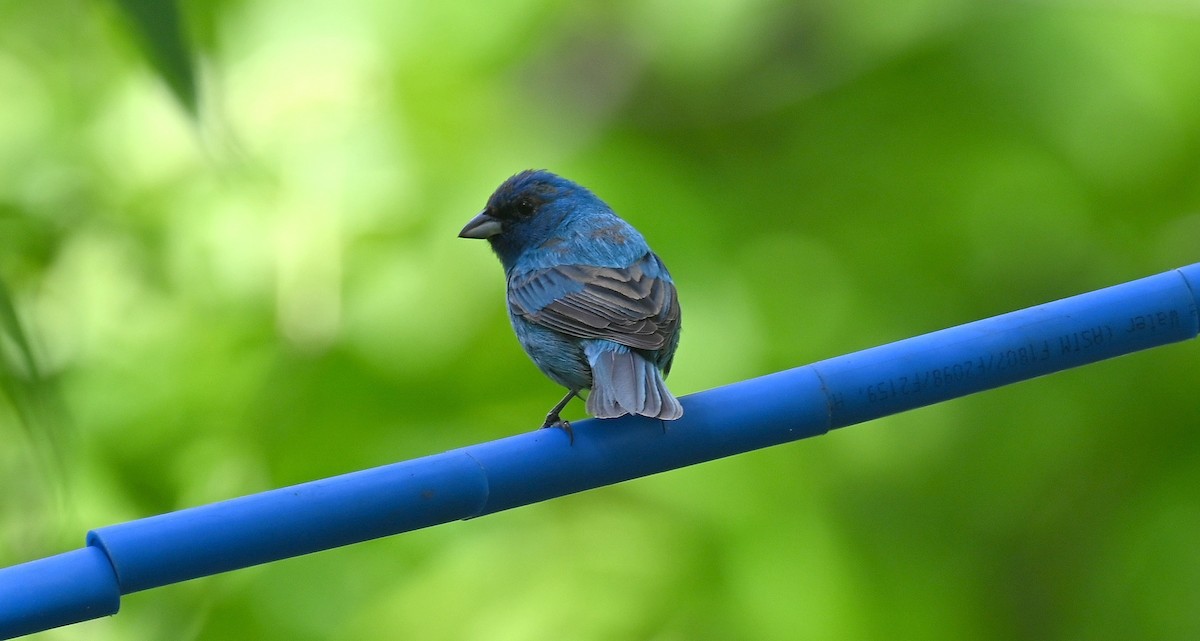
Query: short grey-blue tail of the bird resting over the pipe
(623, 382)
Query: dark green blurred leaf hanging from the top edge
(159, 26)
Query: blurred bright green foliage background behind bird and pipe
(194, 310)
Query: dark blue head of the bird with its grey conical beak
(525, 212)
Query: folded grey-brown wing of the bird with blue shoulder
(635, 307)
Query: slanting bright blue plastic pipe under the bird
(536, 466)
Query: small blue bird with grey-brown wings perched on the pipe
(590, 302)
